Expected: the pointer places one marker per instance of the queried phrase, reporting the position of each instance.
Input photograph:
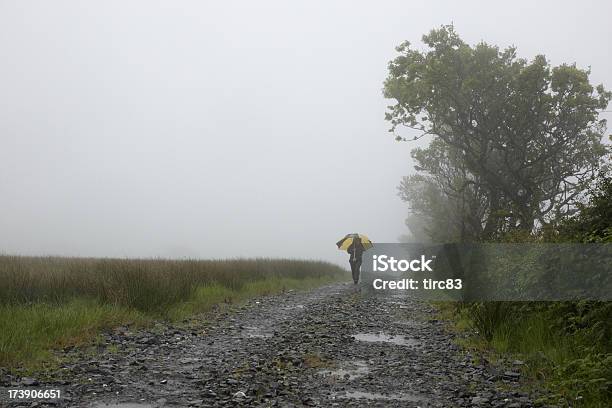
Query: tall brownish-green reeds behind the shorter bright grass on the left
(148, 285)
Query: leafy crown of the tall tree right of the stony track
(520, 135)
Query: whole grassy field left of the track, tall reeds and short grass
(50, 302)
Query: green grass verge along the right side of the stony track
(574, 367)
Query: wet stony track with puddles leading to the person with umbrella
(333, 346)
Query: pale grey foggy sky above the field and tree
(228, 128)
